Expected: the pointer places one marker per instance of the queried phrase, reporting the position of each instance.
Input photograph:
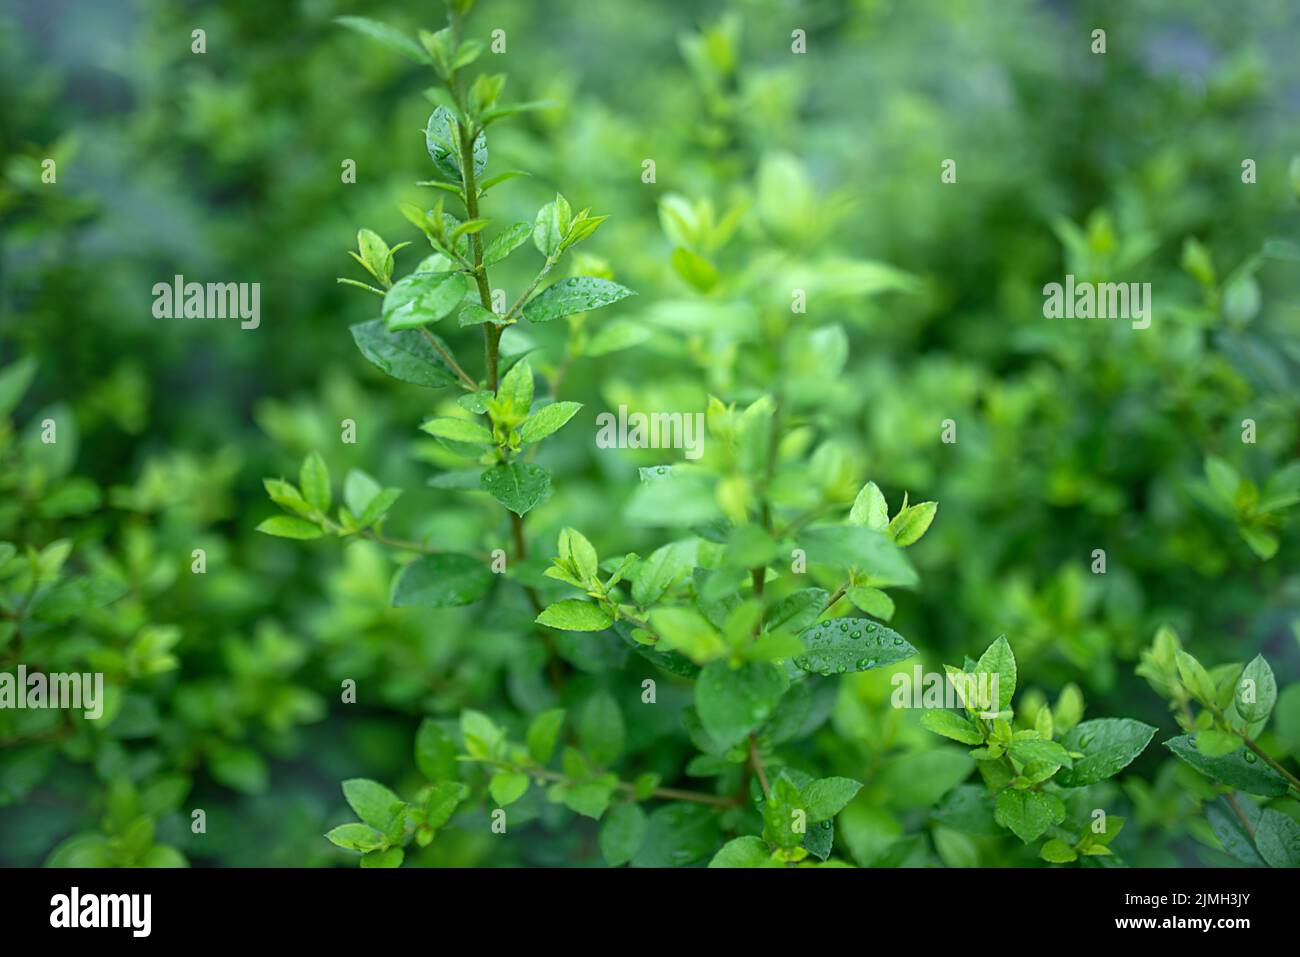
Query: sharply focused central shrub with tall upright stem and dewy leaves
(699, 608)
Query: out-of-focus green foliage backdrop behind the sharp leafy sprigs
(1072, 435)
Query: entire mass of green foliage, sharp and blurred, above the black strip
(457, 616)
